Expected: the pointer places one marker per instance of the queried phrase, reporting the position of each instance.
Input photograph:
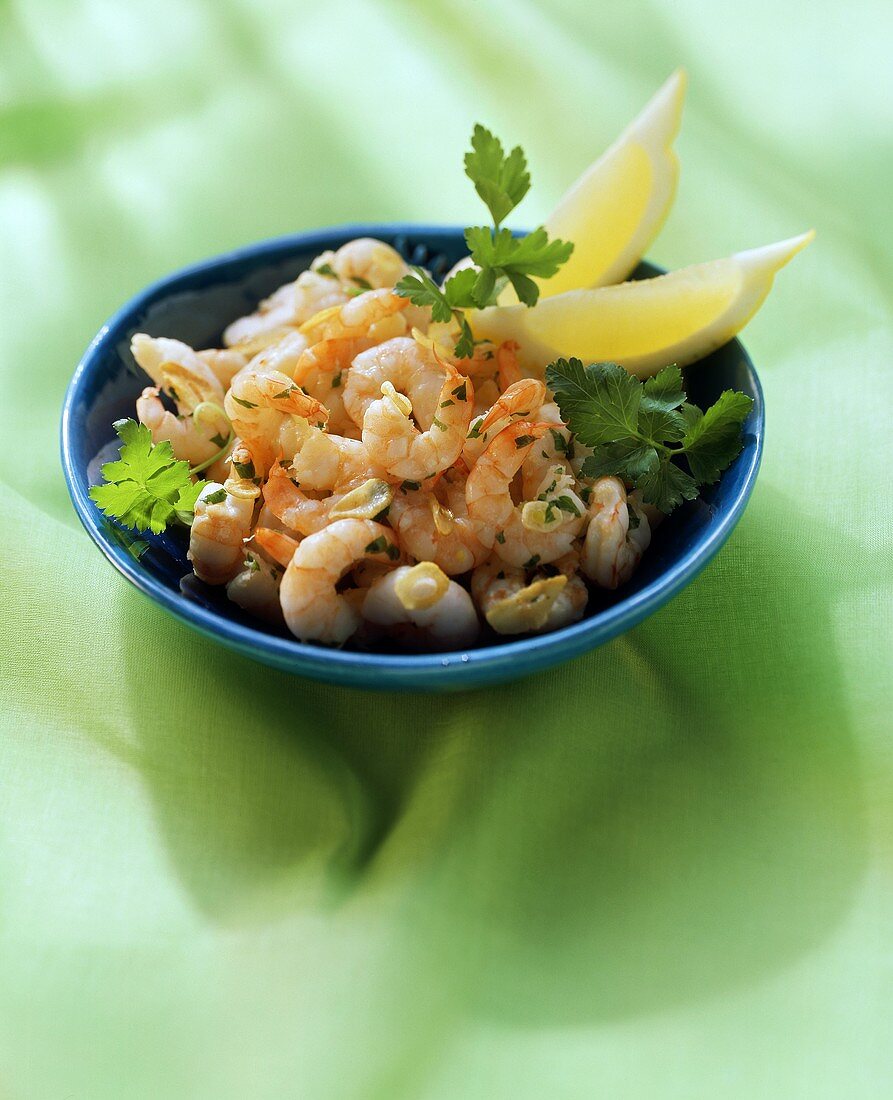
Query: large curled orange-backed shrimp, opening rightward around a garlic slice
(499, 522)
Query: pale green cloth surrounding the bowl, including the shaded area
(663, 871)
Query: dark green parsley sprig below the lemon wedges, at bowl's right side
(641, 431)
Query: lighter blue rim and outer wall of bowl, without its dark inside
(368, 669)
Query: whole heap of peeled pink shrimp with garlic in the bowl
(368, 486)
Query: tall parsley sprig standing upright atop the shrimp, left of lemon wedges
(500, 258)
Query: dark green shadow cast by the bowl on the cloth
(674, 816)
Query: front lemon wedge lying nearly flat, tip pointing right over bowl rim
(676, 318)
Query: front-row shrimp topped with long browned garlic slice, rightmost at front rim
(511, 606)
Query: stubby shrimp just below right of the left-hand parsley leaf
(222, 524)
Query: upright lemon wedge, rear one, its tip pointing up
(616, 208)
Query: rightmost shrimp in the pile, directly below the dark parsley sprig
(614, 546)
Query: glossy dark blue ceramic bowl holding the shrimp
(195, 305)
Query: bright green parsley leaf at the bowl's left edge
(147, 487)
